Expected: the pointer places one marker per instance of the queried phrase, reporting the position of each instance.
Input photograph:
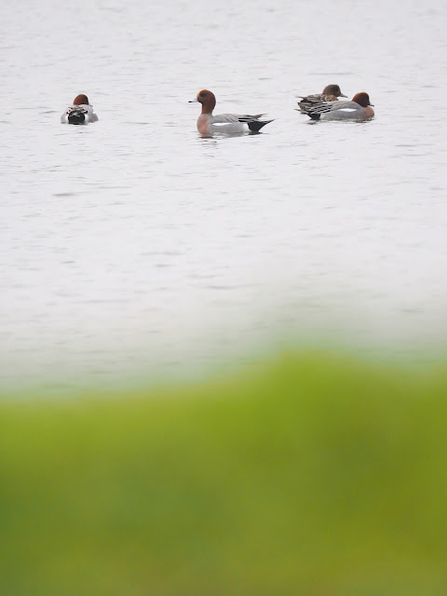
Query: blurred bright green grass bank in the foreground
(311, 475)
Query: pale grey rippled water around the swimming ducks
(132, 248)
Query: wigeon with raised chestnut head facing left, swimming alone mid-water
(207, 123)
